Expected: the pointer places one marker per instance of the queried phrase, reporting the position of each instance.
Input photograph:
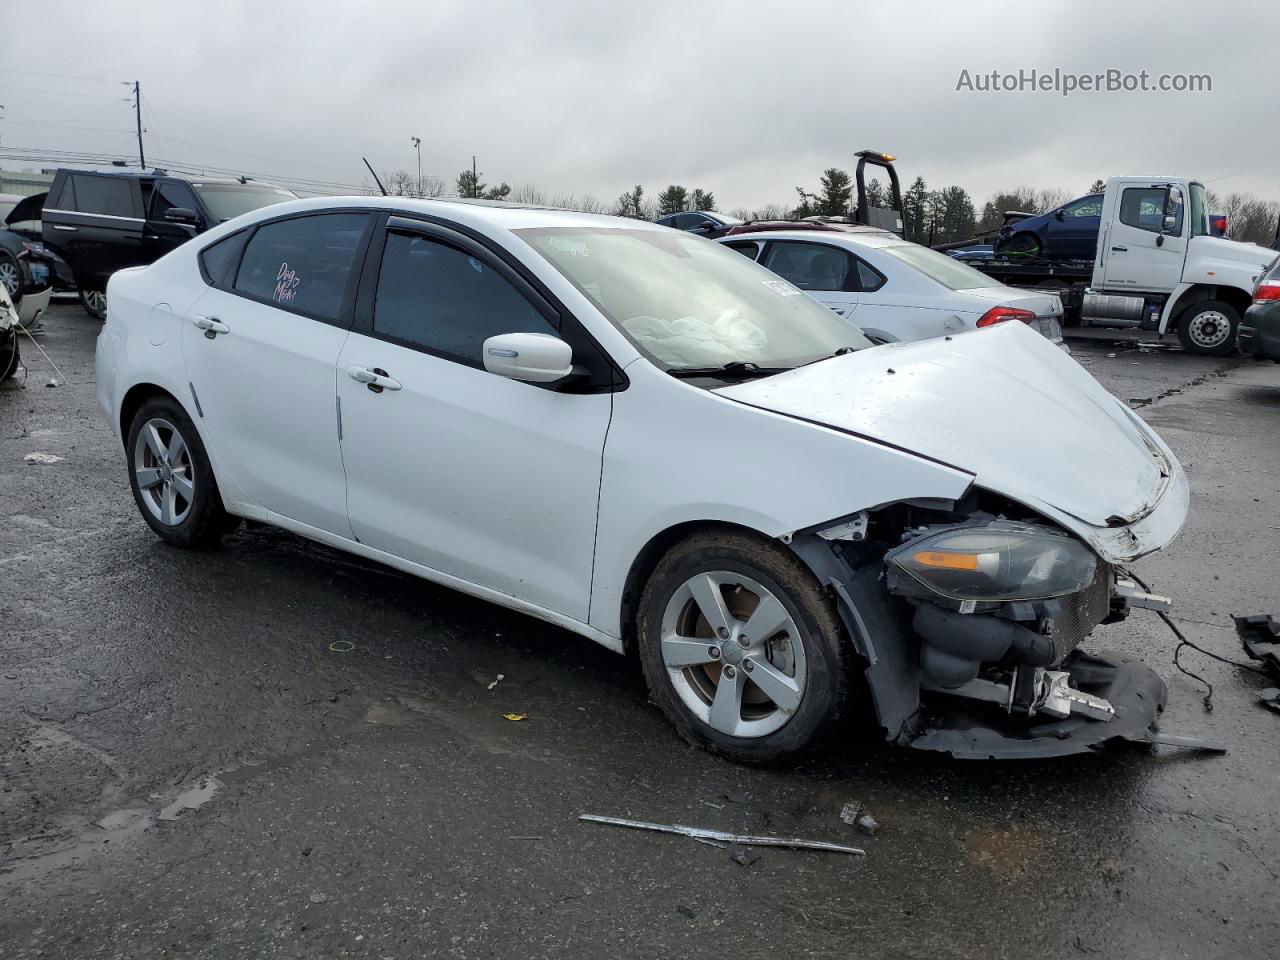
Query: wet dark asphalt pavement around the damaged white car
(272, 749)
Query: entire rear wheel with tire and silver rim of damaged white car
(172, 481)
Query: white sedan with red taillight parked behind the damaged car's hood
(894, 290)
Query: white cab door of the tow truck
(1140, 257)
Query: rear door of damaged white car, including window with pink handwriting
(262, 346)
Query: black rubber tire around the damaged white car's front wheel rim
(826, 650)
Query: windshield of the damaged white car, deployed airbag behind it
(689, 304)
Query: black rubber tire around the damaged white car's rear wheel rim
(204, 520)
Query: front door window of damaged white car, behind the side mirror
(447, 303)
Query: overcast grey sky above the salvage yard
(746, 99)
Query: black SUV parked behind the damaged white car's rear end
(100, 222)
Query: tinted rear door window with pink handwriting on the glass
(303, 264)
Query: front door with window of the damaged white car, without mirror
(474, 476)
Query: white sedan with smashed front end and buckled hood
(653, 442)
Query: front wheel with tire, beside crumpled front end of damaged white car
(742, 648)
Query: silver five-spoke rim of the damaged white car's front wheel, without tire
(734, 655)
